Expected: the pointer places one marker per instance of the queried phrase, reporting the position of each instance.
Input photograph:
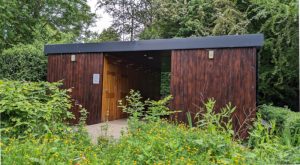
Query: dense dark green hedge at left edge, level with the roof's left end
(23, 62)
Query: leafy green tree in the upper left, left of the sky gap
(20, 21)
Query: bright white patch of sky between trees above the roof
(103, 21)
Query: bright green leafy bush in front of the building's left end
(32, 107)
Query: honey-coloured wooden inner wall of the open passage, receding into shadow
(118, 79)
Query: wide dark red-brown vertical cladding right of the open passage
(229, 77)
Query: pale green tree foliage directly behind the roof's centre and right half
(182, 18)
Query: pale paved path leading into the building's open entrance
(113, 128)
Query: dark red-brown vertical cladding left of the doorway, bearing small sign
(79, 76)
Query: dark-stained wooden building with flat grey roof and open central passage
(222, 67)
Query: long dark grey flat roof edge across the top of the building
(210, 42)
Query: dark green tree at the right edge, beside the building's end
(279, 62)
